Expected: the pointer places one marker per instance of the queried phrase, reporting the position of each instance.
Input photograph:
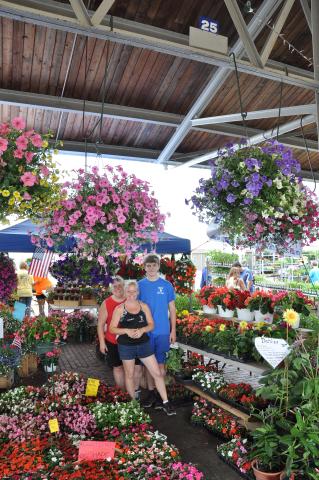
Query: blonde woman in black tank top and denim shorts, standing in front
(132, 321)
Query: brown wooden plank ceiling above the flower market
(39, 61)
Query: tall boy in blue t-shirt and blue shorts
(159, 295)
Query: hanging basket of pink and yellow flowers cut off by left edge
(28, 176)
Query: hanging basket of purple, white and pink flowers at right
(257, 197)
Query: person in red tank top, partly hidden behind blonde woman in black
(107, 340)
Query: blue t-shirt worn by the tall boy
(157, 295)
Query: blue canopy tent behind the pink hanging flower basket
(17, 239)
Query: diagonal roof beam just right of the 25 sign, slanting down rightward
(243, 33)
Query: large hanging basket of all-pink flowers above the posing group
(109, 214)
